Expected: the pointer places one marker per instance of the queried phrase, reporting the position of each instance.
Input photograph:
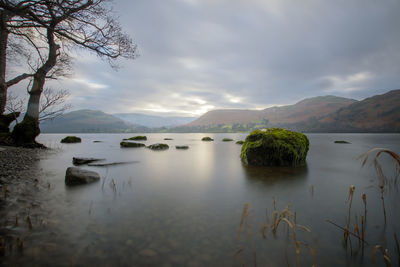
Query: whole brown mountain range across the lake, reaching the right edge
(380, 113)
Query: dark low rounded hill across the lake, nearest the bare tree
(90, 121)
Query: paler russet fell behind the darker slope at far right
(303, 110)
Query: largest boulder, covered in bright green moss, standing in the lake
(275, 147)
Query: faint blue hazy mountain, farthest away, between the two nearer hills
(153, 121)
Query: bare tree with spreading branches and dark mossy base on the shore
(63, 25)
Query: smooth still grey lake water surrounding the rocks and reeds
(184, 207)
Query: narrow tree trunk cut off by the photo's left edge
(4, 17)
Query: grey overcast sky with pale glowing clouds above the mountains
(198, 55)
